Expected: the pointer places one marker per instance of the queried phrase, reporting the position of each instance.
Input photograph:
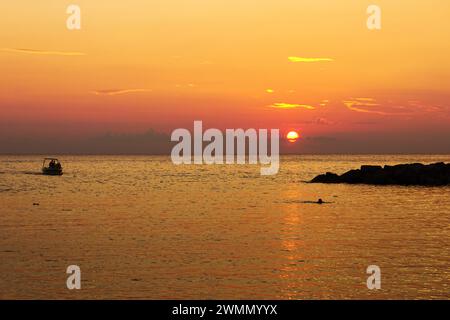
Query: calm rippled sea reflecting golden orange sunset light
(141, 227)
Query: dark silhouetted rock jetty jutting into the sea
(437, 174)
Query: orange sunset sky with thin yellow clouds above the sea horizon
(306, 65)
